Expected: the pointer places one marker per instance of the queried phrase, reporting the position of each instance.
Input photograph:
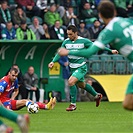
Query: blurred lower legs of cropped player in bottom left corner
(21, 120)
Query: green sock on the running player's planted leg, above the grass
(73, 93)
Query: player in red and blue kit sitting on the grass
(9, 86)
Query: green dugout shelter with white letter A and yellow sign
(37, 54)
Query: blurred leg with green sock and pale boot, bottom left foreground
(21, 120)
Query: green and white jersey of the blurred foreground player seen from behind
(119, 33)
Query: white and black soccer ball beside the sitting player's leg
(33, 108)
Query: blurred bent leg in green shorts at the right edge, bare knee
(128, 101)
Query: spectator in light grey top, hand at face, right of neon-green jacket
(37, 28)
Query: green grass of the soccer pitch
(107, 118)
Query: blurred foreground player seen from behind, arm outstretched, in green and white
(119, 33)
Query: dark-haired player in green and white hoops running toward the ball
(78, 66)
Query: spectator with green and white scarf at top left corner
(5, 14)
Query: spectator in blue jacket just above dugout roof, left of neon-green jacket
(9, 32)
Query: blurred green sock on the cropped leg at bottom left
(8, 114)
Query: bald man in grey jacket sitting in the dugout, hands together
(31, 83)
